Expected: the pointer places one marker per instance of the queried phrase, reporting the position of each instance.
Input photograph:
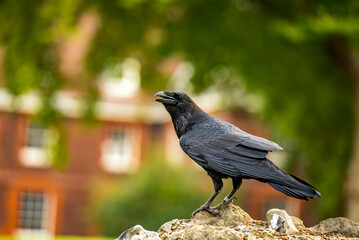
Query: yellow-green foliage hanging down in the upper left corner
(30, 34)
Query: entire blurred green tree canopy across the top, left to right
(285, 51)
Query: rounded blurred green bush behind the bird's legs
(156, 194)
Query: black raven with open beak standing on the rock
(225, 151)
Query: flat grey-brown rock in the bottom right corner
(339, 225)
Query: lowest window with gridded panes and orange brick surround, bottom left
(33, 211)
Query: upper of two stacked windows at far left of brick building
(34, 150)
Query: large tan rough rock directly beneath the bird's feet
(233, 223)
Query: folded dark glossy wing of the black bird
(232, 154)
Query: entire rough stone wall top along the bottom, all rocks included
(235, 224)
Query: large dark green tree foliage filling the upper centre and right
(278, 49)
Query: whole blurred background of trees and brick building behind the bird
(85, 151)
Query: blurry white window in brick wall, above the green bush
(118, 150)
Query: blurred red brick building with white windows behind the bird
(35, 198)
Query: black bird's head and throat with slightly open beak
(181, 107)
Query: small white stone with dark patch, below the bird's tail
(280, 221)
